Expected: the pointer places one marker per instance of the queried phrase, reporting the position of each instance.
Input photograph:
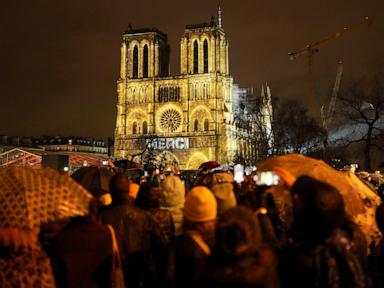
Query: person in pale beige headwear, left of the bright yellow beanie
(173, 200)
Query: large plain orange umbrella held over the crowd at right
(360, 200)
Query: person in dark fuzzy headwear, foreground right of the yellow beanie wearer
(238, 257)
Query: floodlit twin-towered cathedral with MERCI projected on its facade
(187, 118)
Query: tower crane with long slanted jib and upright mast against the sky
(311, 49)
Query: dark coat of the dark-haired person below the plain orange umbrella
(331, 263)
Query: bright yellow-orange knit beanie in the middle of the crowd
(200, 205)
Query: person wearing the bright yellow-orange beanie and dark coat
(193, 247)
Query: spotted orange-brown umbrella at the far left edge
(30, 197)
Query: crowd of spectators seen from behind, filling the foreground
(209, 231)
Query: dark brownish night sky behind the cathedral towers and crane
(59, 59)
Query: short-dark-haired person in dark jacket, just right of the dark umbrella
(134, 229)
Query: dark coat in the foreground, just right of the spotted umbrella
(82, 254)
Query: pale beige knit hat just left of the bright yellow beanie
(174, 191)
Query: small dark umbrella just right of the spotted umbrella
(95, 179)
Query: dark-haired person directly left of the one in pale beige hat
(149, 198)
